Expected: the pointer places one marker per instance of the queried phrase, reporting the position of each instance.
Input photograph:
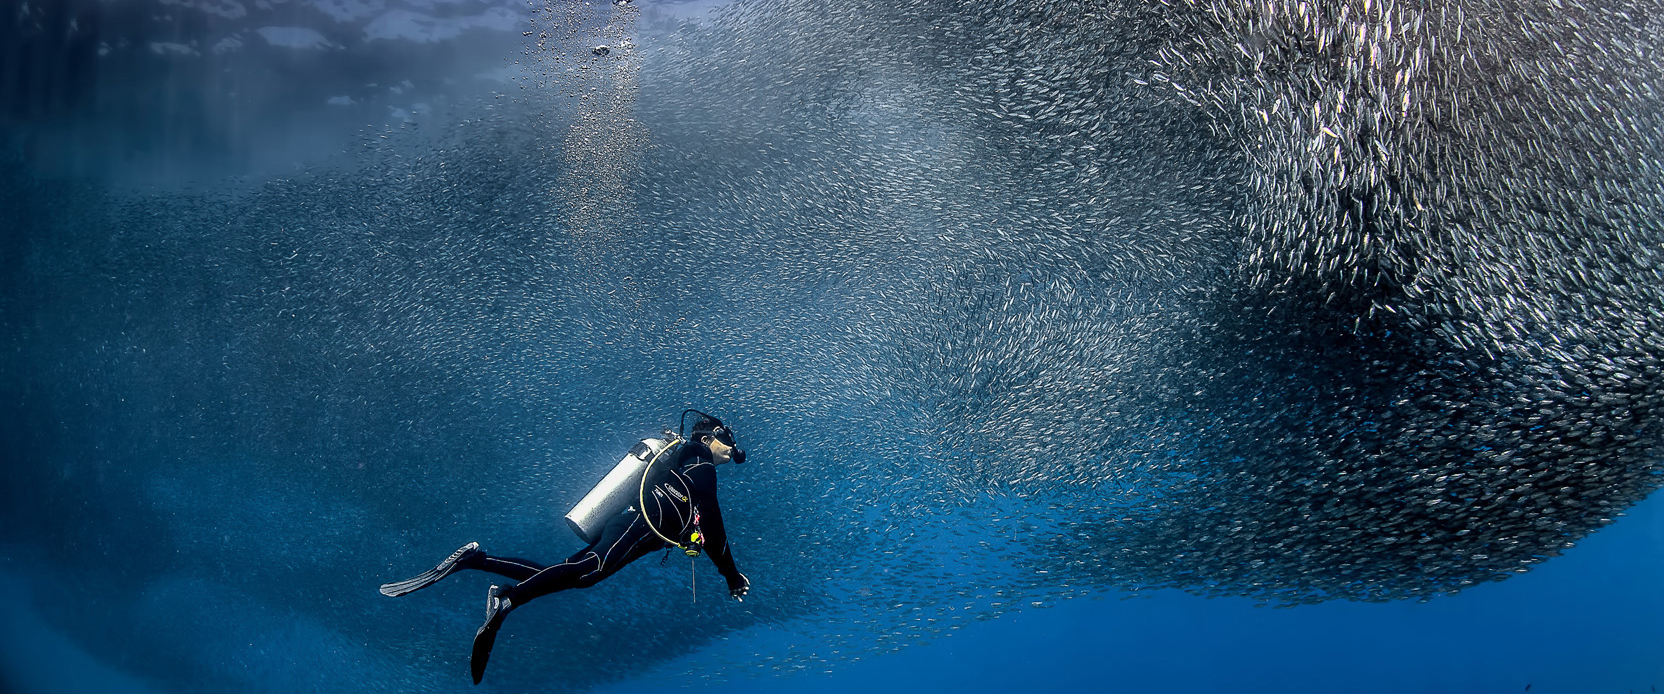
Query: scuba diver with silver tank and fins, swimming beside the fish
(661, 495)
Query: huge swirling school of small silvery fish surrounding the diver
(1009, 302)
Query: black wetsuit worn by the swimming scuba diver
(681, 498)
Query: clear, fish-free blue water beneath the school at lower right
(1592, 622)
